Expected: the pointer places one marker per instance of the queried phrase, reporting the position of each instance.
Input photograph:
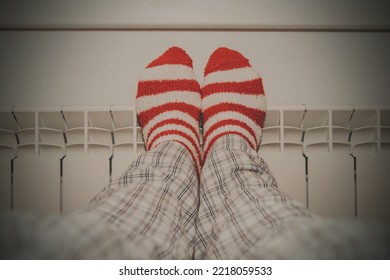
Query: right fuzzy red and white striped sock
(233, 100)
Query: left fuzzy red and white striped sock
(168, 103)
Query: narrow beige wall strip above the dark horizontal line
(197, 13)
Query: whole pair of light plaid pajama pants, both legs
(156, 210)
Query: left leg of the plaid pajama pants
(149, 212)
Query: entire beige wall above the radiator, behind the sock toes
(54, 68)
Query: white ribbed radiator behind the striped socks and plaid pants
(333, 159)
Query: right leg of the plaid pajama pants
(242, 214)
